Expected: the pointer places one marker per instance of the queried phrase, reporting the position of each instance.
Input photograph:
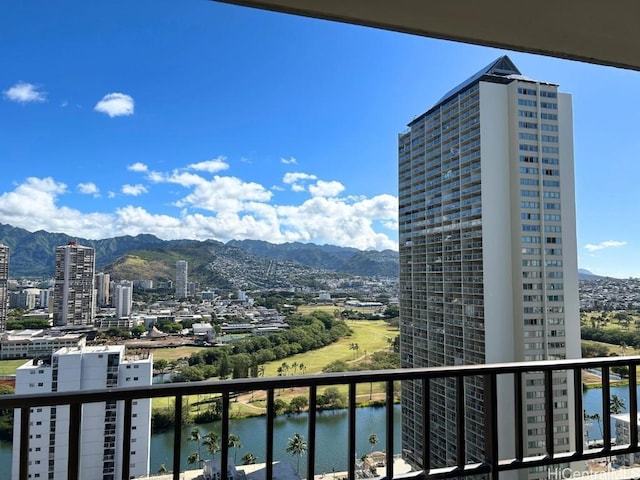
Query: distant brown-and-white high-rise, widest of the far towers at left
(74, 292)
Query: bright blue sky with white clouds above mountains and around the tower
(201, 120)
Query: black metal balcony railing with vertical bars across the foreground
(490, 466)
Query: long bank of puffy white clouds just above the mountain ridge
(221, 208)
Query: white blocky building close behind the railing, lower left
(75, 369)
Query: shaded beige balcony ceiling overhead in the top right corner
(594, 31)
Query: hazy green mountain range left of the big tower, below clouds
(236, 264)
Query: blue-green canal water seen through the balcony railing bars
(331, 429)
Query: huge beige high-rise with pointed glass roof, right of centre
(488, 262)
